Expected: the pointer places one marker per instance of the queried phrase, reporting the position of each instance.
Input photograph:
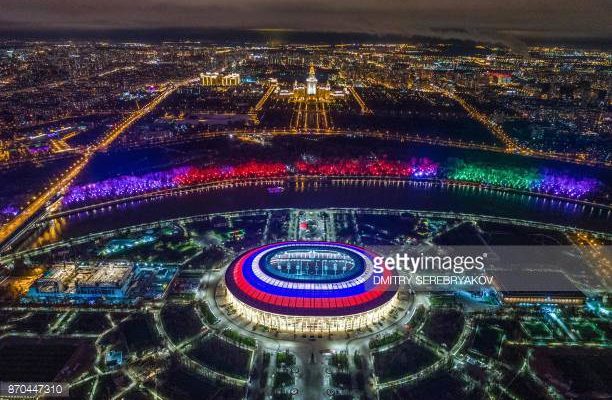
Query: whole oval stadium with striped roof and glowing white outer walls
(309, 287)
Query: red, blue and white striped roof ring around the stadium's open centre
(253, 284)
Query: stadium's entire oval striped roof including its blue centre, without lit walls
(308, 279)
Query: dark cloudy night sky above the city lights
(492, 20)
